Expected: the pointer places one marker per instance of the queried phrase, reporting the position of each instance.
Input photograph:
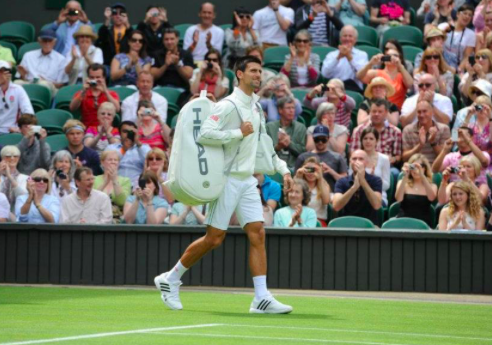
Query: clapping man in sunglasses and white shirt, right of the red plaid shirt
(443, 107)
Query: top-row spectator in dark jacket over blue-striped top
(320, 21)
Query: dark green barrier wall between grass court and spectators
(359, 260)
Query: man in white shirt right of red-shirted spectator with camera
(145, 83)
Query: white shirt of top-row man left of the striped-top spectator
(267, 26)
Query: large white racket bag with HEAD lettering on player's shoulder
(196, 172)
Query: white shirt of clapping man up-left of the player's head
(201, 47)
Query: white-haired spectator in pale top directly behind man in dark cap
(325, 116)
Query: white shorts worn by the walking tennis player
(240, 196)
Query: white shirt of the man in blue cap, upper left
(50, 67)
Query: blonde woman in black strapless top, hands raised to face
(415, 191)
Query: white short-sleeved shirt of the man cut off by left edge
(13, 103)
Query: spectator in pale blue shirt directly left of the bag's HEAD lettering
(133, 151)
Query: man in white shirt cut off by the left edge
(13, 100)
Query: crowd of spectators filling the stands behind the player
(384, 129)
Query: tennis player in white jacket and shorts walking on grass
(240, 195)
